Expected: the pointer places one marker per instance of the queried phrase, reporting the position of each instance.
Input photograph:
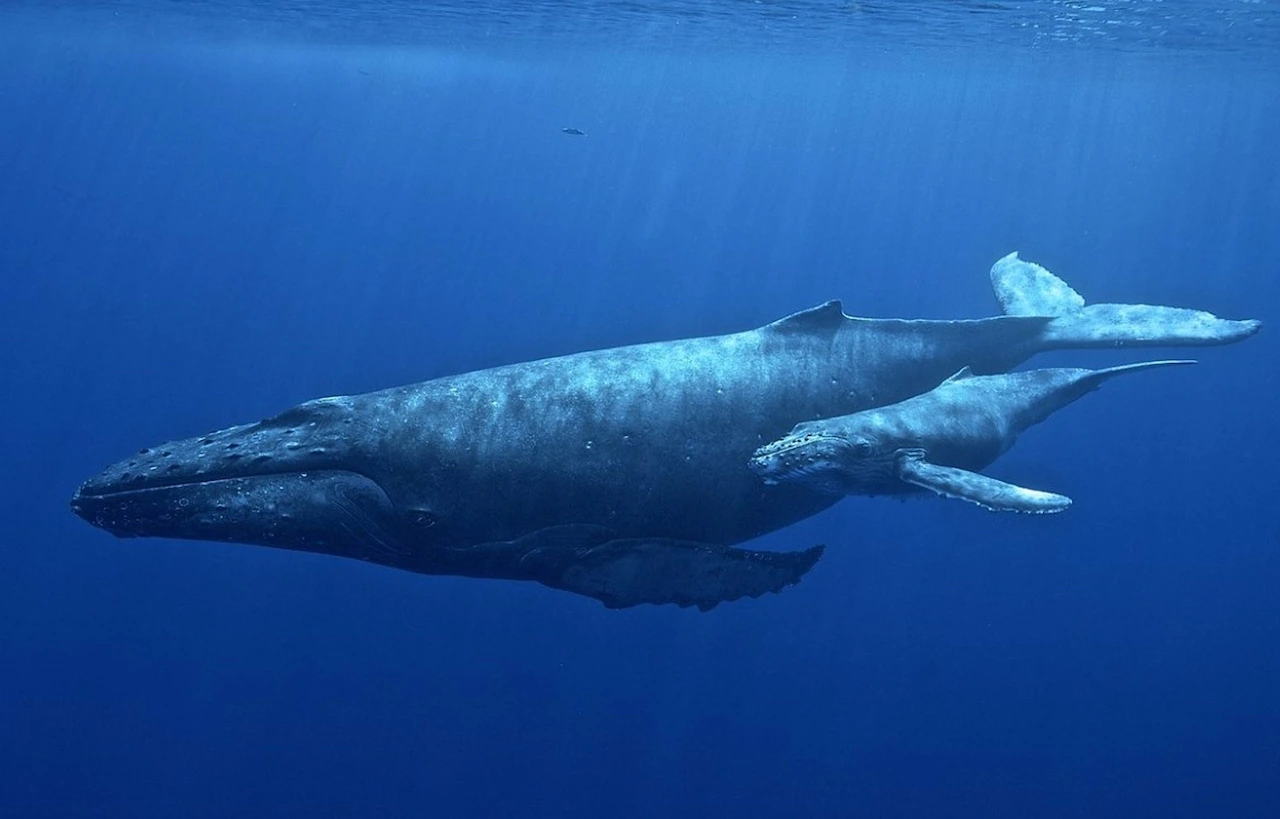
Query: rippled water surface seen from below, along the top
(1188, 26)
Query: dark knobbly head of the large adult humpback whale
(308, 479)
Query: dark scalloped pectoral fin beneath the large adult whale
(628, 573)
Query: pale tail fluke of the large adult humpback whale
(1027, 290)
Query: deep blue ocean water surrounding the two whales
(212, 212)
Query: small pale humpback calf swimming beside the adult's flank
(936, 441)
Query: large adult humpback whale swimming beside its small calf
(619, 474)
